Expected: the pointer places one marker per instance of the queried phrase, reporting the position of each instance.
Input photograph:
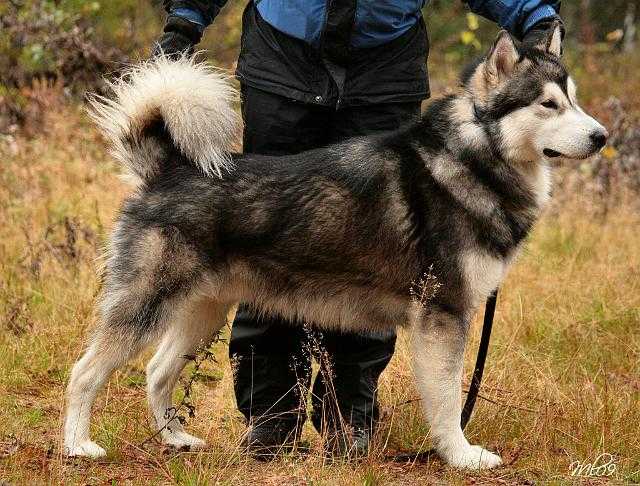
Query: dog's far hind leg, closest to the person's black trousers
(195, 326)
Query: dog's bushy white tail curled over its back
(177, 101)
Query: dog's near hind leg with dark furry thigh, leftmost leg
(150, 275)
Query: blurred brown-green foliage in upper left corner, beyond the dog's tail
(69, 43)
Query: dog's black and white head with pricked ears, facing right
(527, 100)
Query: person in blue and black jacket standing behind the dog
(313, 72)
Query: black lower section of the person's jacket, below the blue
(278, 63)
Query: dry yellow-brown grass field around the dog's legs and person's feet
(563, 378)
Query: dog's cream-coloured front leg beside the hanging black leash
(438, 341)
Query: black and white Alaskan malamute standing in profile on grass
(338, 237)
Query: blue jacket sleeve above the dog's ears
(516, 16)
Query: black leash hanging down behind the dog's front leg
(474, 388)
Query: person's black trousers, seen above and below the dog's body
(273, 357)
